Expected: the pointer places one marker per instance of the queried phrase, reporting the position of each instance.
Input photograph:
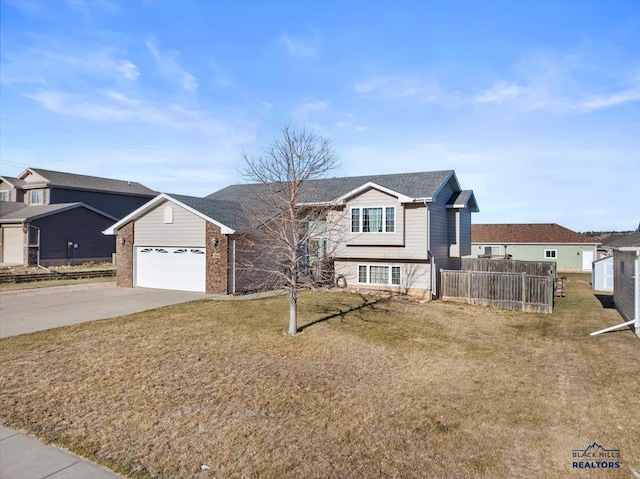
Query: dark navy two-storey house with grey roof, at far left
(57, 195)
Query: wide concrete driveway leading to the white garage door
(27, 311)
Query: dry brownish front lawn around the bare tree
(373, 387)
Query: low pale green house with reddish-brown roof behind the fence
(534, 242)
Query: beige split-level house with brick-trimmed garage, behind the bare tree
(397, 232)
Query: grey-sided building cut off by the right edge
(626, 283)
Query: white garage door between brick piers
(183, 269)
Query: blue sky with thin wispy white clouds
(535, 105)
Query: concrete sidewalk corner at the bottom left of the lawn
(23, 457)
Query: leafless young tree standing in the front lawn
(288, 222)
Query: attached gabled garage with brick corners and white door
(173, 242)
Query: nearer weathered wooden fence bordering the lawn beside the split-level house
(519, 291)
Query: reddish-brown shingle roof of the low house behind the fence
(526, 233)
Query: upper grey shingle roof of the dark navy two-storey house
(84, 182)
